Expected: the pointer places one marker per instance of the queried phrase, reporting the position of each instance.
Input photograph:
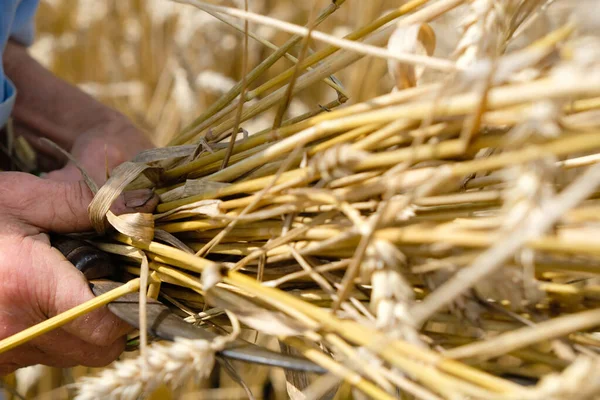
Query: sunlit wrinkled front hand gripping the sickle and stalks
(37, 282)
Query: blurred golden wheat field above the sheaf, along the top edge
(163, 63)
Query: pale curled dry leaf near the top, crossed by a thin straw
(413, 39)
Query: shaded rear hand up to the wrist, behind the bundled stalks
(104, 146)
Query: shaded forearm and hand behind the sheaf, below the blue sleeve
(46, 106)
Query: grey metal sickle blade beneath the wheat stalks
(165, 324)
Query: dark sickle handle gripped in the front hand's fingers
(93, 262)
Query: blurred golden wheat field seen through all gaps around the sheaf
(162, 64)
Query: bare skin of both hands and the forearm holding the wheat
(36, 281)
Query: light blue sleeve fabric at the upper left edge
(16, 22)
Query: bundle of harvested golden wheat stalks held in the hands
(438, 241)
